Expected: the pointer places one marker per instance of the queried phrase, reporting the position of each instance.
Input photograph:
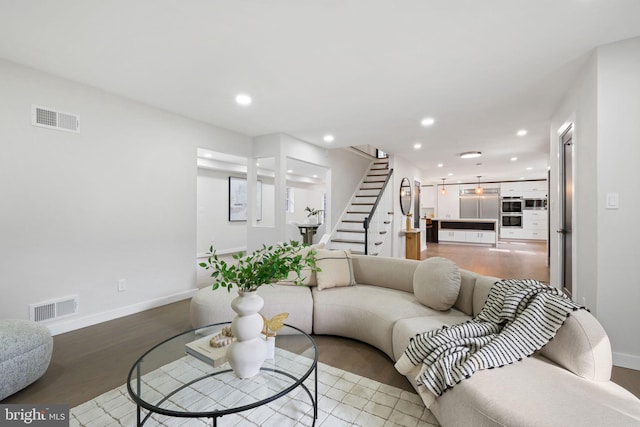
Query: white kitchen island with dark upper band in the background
(483, 231)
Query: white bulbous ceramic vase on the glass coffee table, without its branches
(247, 354)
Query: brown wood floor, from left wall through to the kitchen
(93, 360)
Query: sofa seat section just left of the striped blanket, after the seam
(405, 329)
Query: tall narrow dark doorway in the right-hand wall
(566, 210)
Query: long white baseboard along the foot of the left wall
(68, 325)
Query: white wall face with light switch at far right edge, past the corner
(618, 236)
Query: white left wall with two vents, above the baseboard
(117, 201)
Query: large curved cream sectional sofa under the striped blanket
(567, 383)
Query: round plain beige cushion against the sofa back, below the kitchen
(436, 283)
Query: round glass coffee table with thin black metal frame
(171, 379)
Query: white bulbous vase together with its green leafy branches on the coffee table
(266, 265)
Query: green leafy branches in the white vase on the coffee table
(265, 265)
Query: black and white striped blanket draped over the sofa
(519, 318)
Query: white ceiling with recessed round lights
(366, 71)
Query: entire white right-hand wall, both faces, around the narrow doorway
(605, 104)
